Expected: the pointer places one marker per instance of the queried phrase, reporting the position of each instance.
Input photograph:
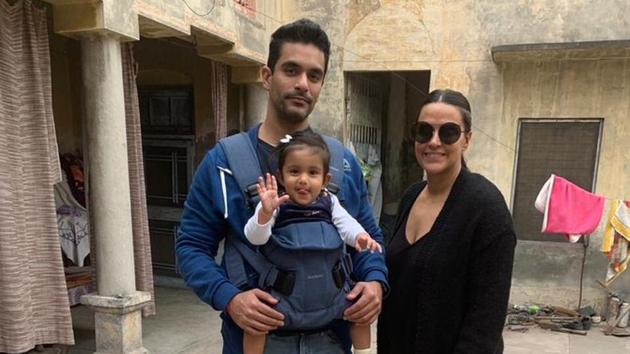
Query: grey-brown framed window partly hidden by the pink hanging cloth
(567, 148)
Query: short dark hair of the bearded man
(301, 31)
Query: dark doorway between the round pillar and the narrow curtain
(168, 149)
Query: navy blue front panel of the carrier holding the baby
(314, 252)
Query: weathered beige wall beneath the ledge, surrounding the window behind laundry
(571, 89)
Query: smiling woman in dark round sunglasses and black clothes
(450, 256)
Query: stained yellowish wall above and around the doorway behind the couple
(453, 41)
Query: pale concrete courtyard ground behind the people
(185, 325)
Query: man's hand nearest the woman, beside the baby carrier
(366, 309)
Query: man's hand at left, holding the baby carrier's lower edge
(251, 311)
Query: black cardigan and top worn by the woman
(449, 290)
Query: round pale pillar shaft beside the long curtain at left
(110, 204)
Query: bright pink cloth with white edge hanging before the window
(568, 209)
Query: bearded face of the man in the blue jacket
(295, 82)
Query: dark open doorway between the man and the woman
(380, 108)
